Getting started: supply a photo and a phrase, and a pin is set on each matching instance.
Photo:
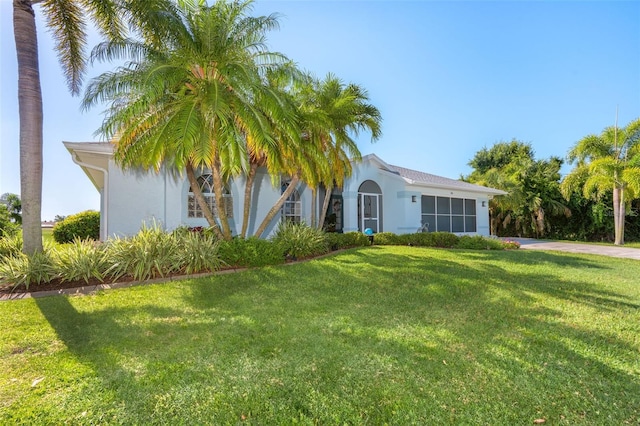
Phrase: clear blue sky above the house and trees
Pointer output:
(448, 77)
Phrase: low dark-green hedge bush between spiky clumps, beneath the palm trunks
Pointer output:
(250, 252)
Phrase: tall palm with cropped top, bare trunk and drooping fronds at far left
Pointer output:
(67, 20)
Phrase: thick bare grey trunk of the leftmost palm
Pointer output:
(30, 110)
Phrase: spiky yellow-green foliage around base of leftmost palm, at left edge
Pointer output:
(23, 270)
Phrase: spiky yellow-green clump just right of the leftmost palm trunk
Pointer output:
(81, 260)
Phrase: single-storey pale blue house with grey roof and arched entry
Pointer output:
(377, 195)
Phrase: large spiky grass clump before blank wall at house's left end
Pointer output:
(149, 254)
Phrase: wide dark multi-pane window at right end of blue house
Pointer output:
(448, 214)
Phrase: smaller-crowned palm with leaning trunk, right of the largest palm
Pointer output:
(331, 114)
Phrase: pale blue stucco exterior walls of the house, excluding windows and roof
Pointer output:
(136, 198)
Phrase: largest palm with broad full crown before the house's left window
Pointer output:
(190, 104)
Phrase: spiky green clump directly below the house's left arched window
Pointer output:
(198, 252)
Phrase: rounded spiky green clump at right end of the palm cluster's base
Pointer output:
(299, 240)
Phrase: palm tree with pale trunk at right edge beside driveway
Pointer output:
(611, 162)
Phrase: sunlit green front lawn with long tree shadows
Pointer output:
(397, 335)
